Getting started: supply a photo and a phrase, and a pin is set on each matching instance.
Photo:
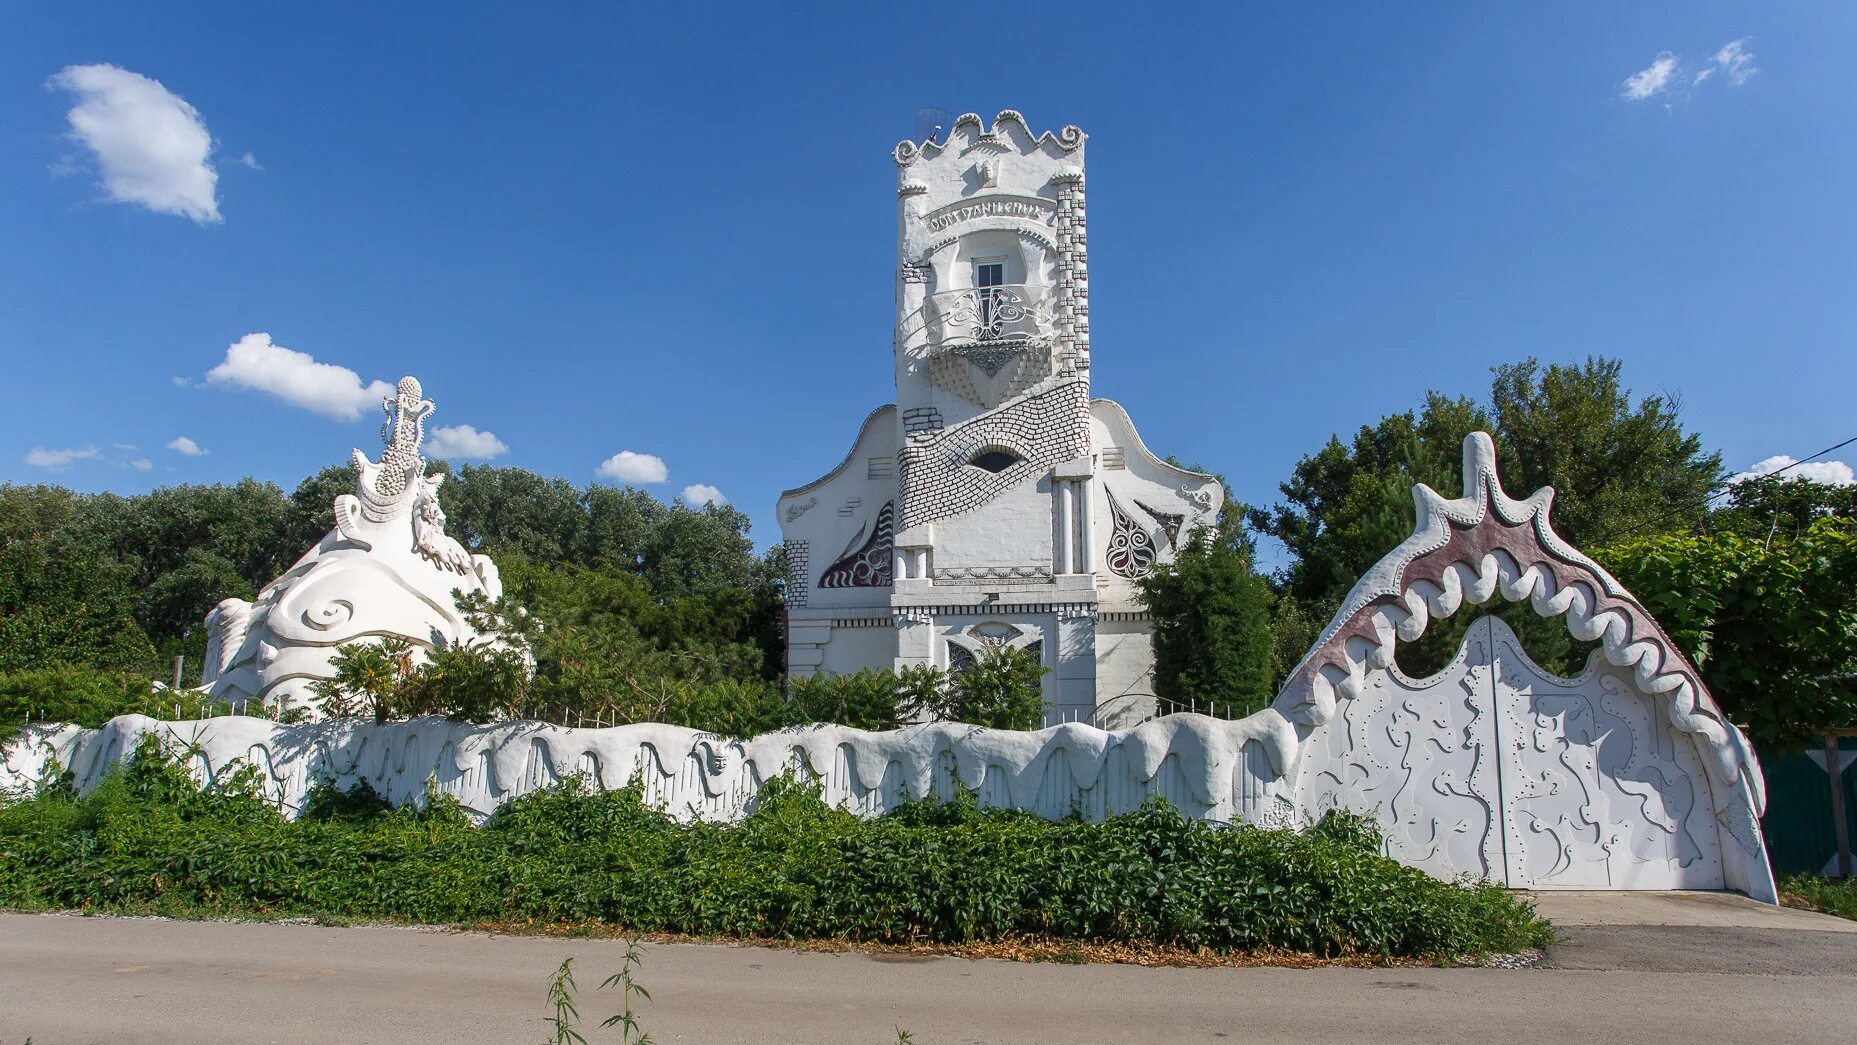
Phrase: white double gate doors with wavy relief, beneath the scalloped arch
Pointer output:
(1501, 771)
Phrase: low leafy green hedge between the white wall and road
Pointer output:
(796, 870)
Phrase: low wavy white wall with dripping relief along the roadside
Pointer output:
(1206, 768)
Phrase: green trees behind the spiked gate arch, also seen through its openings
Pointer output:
(1617, 467)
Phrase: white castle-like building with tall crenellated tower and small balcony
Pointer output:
(996, 502)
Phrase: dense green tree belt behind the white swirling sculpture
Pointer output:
(649, 591)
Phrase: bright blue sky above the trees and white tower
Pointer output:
(671, 231)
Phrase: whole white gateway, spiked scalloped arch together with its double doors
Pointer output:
(1626, 777)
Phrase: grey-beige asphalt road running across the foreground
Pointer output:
(1721, 974)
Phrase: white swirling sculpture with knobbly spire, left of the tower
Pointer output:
(385, 571)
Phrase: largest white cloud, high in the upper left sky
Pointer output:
(151, 146)
